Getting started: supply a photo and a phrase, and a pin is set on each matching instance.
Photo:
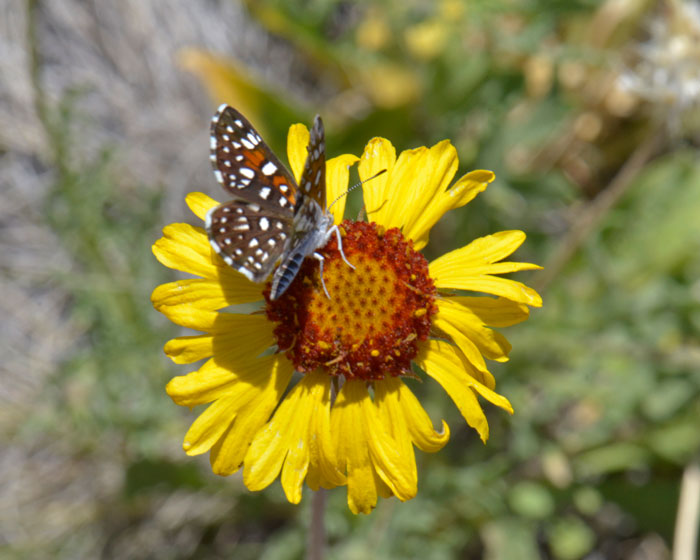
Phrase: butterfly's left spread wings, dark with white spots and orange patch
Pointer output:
(252, 231)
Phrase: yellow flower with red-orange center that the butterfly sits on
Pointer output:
(350, 417)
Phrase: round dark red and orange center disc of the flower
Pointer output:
(376, 314)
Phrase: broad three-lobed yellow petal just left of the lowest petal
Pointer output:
(297, 437)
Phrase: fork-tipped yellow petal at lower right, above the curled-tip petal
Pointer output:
(441, 361)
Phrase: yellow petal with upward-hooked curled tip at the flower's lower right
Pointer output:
(404, 409)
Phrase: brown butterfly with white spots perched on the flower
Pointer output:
(269, 218)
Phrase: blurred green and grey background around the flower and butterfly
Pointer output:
(587, 110)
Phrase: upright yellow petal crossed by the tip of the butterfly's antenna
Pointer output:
(379, 154)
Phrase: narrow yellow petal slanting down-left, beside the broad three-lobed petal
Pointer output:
(228, 453)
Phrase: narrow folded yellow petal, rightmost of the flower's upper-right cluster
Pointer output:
(461, 193)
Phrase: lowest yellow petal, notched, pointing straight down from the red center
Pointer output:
(365, 450)
